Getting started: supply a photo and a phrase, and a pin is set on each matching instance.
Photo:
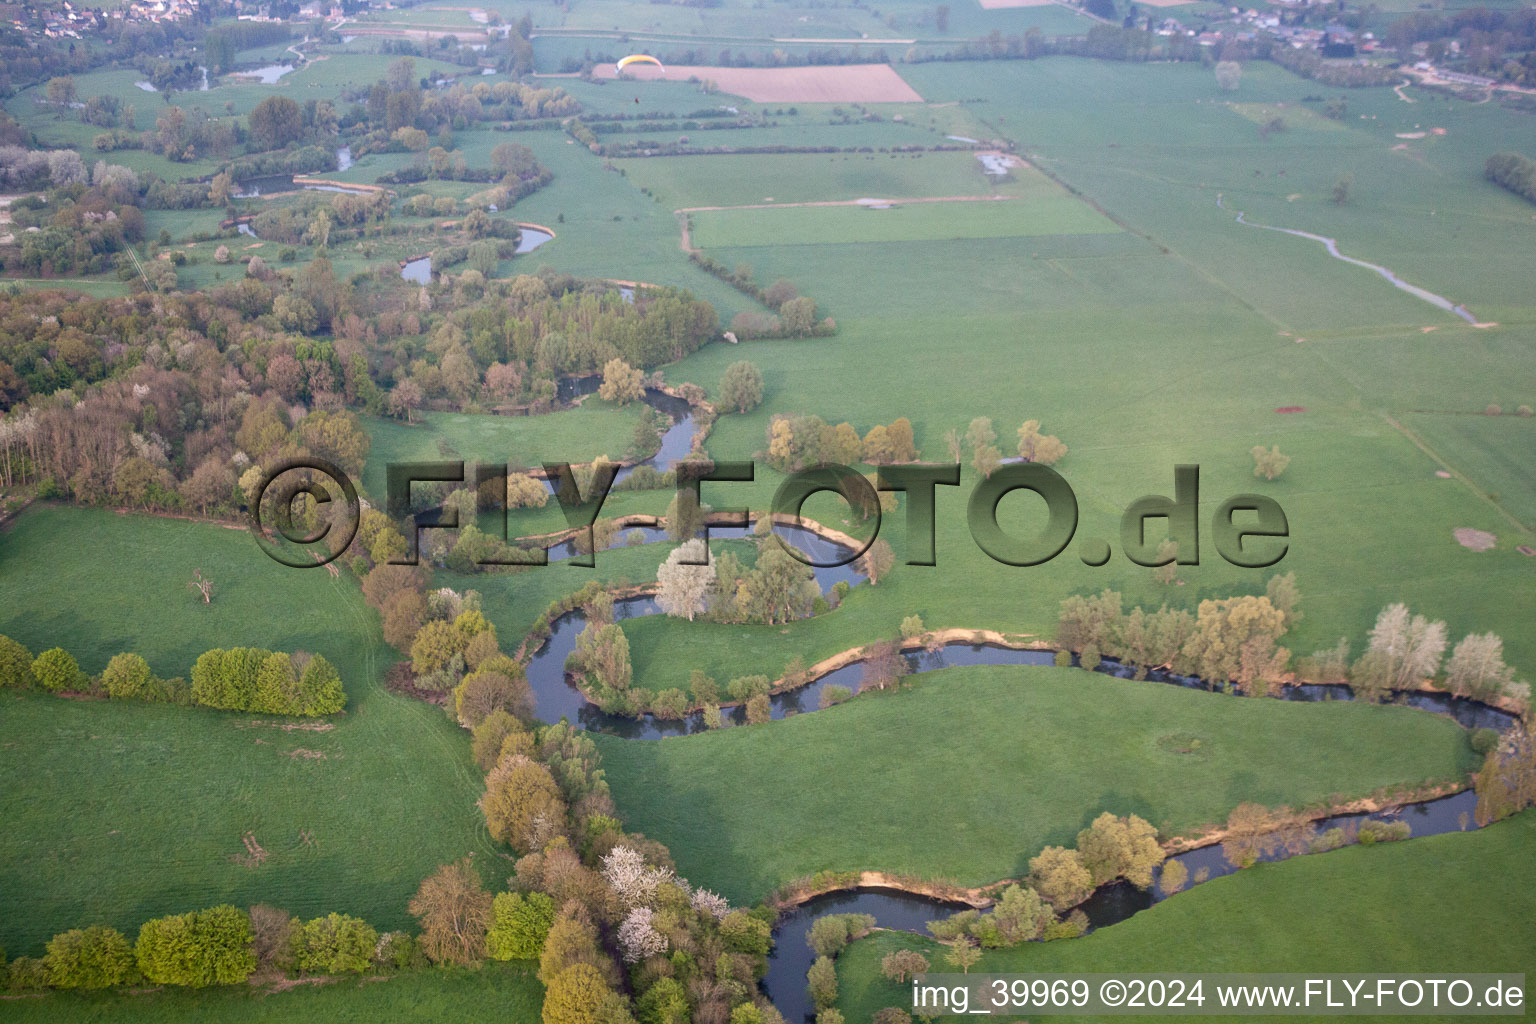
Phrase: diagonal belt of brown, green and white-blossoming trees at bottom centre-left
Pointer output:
(595, 905)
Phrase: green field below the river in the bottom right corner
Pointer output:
(1402, 908)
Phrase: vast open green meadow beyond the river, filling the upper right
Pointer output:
(1173, 343)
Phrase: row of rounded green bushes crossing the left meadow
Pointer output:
(240, 679)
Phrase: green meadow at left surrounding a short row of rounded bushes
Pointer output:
(121, 811)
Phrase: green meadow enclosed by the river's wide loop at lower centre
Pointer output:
(976, 770)
